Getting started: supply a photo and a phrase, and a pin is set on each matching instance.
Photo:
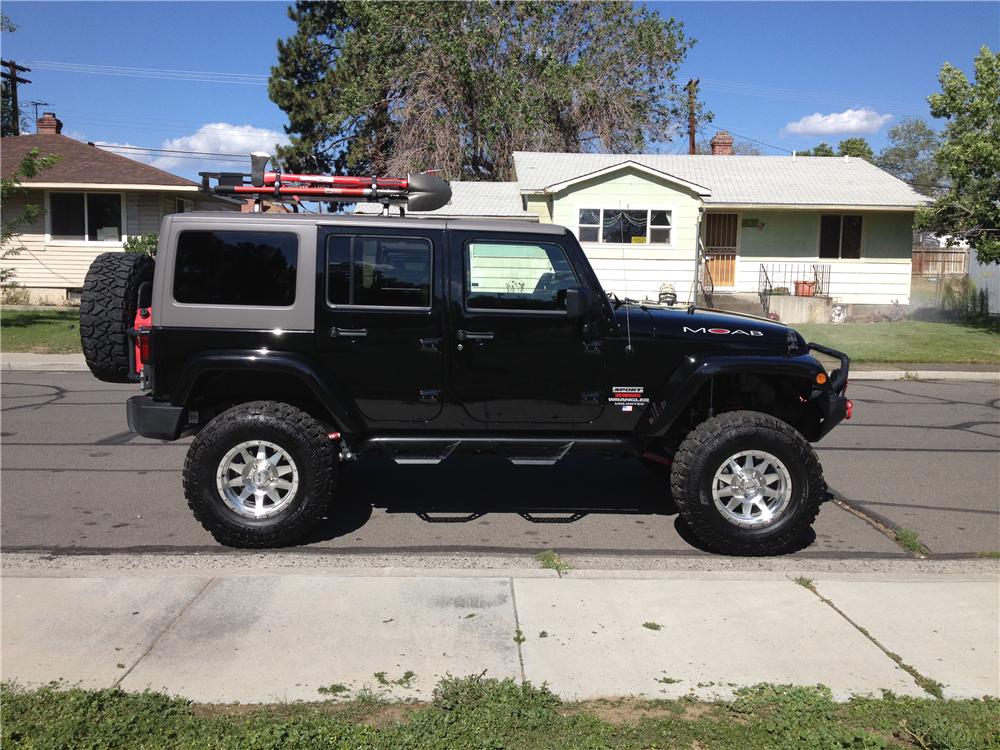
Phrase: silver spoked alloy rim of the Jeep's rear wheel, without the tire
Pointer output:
(257, 479)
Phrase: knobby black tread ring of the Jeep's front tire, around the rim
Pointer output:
(687, 471)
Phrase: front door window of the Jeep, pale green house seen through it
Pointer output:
(512, 276)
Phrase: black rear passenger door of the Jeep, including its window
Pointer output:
(380, 315)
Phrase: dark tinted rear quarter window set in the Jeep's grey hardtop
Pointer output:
(236, 268)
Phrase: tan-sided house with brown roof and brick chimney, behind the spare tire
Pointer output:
(92, 201)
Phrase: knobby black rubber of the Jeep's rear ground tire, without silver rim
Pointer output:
(309, 510)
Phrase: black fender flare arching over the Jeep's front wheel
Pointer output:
(694, 371)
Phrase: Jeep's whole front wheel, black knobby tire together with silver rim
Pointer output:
(747, 483)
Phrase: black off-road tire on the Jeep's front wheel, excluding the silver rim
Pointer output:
(703, 452)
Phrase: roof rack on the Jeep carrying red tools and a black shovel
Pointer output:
(416, 192)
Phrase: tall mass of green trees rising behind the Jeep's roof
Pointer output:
(396, 87)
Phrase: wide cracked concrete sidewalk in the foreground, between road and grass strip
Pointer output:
(225, 636)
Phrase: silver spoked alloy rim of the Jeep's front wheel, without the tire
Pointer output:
(752, 489)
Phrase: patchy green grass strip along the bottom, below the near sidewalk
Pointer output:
(483, 713)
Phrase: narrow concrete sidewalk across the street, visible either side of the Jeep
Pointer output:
(26, 362)
